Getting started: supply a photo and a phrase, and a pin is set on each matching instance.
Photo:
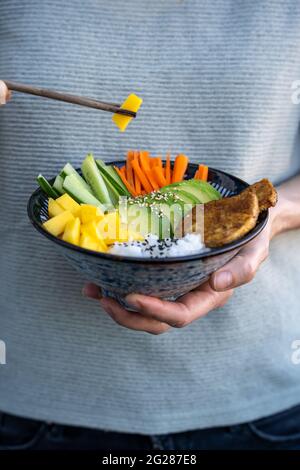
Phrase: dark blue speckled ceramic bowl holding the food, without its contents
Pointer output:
(167, 278)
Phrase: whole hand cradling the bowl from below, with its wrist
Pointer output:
(158, 316)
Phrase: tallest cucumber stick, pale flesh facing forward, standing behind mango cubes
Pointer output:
(94, 178)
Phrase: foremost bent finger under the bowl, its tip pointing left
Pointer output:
(182, 312)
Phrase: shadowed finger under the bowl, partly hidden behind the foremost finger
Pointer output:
(132, 320)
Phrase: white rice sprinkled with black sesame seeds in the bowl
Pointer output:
(152, 247)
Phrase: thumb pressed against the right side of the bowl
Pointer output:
(242, 268)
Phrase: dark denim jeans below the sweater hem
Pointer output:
(279, 431)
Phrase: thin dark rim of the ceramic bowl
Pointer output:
(264, 216)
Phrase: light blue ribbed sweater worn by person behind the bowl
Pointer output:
(216, 81)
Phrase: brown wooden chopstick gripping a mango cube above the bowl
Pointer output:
(80, 100)
